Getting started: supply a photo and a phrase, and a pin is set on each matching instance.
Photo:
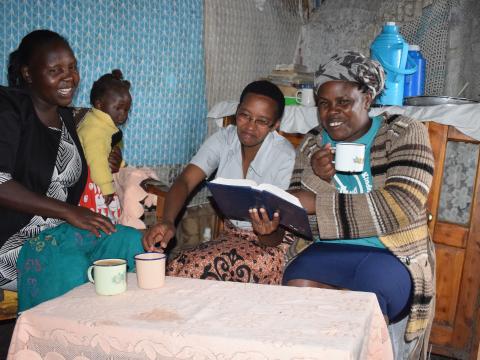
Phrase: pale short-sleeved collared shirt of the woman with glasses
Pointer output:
(273, 163)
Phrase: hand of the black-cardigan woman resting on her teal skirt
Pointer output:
(84, 218)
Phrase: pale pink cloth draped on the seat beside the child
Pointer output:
(127, 185)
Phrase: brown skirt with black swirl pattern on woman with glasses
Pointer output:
(235, 255)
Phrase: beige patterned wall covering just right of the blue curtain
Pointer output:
(244, 40)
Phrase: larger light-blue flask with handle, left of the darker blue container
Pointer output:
(391, 50)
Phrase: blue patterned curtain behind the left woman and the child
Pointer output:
(158, 45)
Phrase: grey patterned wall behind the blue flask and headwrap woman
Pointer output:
(337, 25)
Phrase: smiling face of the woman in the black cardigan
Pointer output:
(52, 75)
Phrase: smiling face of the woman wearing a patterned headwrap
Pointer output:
(343, 110)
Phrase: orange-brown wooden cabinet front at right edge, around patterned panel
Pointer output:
(456, 327)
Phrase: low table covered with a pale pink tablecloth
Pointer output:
(203, 319)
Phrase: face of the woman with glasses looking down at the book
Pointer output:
(256, 117)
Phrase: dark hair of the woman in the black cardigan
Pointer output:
(28, 48)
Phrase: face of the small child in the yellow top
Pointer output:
(116, 103)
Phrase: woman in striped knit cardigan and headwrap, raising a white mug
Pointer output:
(371, 226)
